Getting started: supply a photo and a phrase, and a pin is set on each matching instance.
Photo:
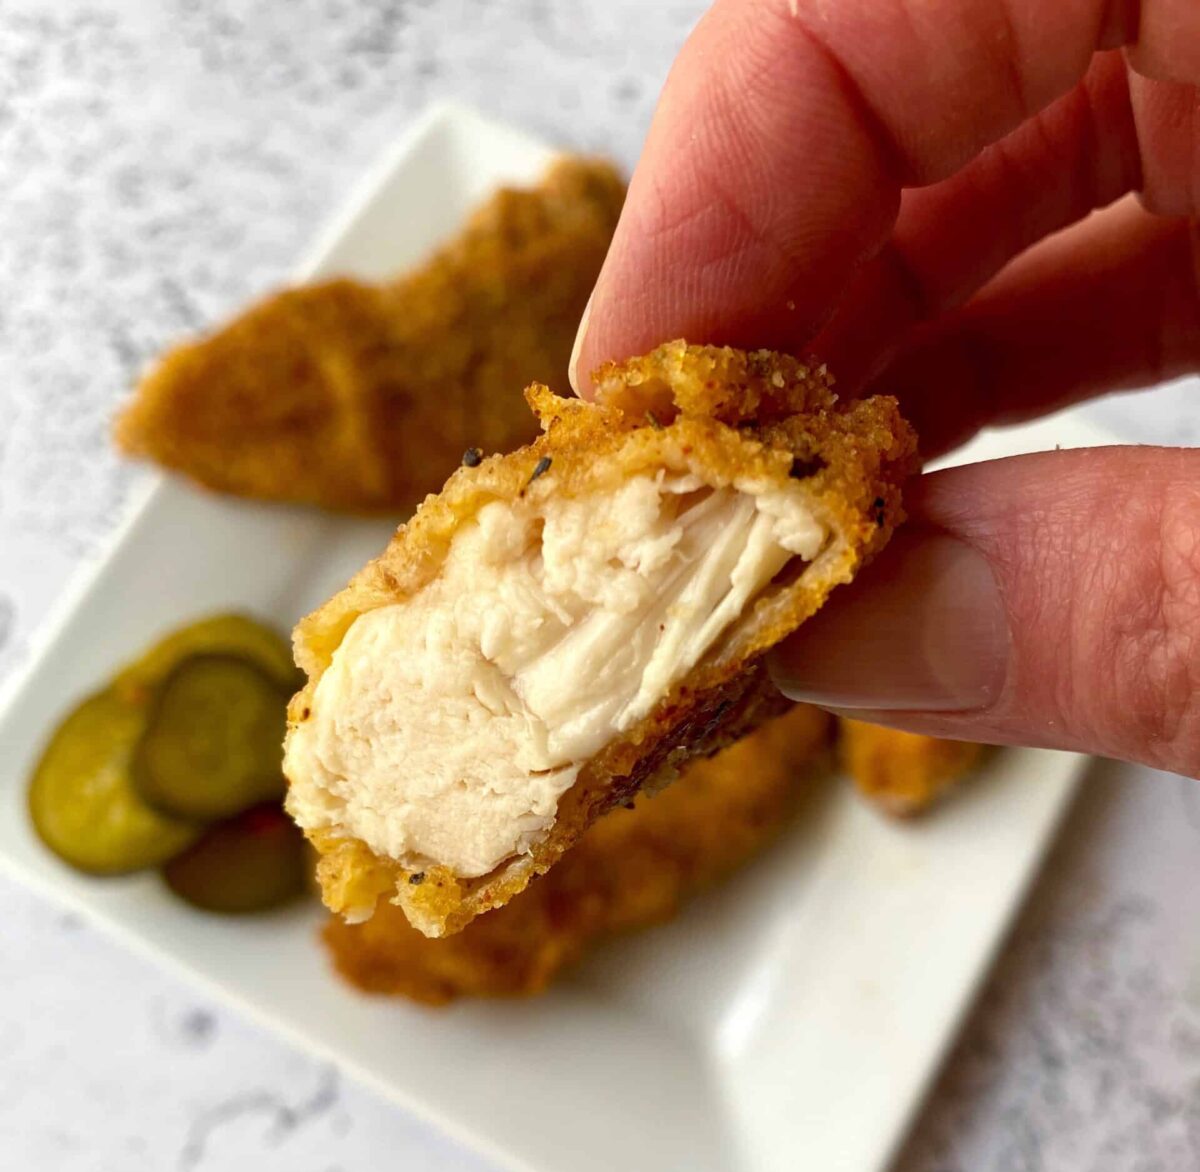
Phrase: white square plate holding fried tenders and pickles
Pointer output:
(791, 1019)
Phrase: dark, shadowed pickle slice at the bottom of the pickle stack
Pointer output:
(251, 863)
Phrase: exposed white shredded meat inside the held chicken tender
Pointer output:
(449, 725)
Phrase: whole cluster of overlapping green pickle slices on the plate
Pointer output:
(178, 765)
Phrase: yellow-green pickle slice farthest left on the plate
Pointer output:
(82, 797)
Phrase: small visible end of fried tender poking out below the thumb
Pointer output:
(903, 773)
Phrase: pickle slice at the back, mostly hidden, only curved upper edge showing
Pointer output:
(217, 635)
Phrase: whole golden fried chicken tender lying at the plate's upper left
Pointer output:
(363, 398)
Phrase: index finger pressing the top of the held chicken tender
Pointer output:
(783, 139)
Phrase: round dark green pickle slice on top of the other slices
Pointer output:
(214, 743)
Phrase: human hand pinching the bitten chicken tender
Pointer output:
(909, 191)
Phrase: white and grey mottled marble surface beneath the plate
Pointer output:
(160, 163)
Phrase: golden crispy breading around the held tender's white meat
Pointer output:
(716, 413)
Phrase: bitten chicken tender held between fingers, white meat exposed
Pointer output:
(566, 626)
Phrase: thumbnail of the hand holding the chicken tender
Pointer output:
(923, 629)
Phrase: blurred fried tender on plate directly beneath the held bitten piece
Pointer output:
(632, 869)
